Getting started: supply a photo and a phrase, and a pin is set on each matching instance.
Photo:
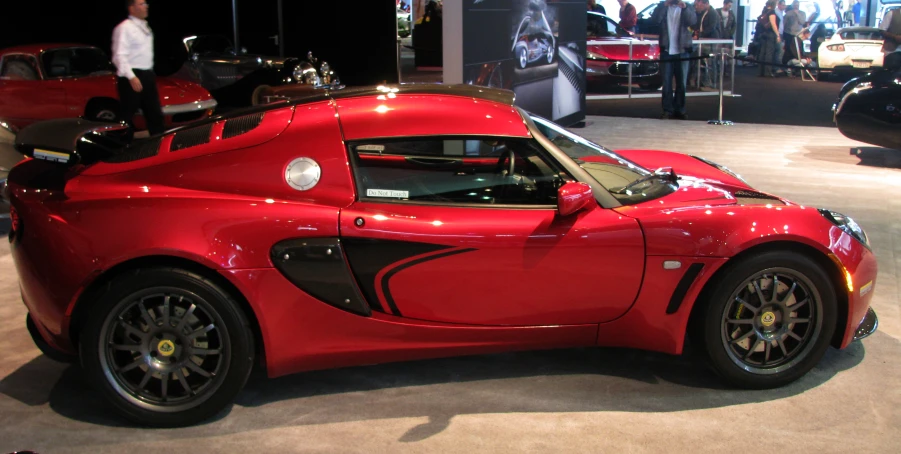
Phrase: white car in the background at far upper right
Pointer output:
(851, 48)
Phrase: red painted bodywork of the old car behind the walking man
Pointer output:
(23, 102)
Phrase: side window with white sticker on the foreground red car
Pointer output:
(485, 171)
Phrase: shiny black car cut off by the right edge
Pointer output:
(868, 108)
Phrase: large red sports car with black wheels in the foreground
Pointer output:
(396, 223)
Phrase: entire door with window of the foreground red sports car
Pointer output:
(466, 231)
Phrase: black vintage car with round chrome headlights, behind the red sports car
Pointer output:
(236, 78)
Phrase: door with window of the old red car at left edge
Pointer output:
(24, 97)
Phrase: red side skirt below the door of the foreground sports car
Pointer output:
(302, 333)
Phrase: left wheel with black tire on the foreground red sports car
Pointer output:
(144, 366)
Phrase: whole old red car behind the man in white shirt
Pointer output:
(45, 81)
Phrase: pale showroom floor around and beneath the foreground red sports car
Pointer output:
(586, 400)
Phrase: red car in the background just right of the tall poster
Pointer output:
(608, 64)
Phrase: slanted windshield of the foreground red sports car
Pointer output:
(617, 174)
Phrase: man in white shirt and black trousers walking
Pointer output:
(133, 57)
